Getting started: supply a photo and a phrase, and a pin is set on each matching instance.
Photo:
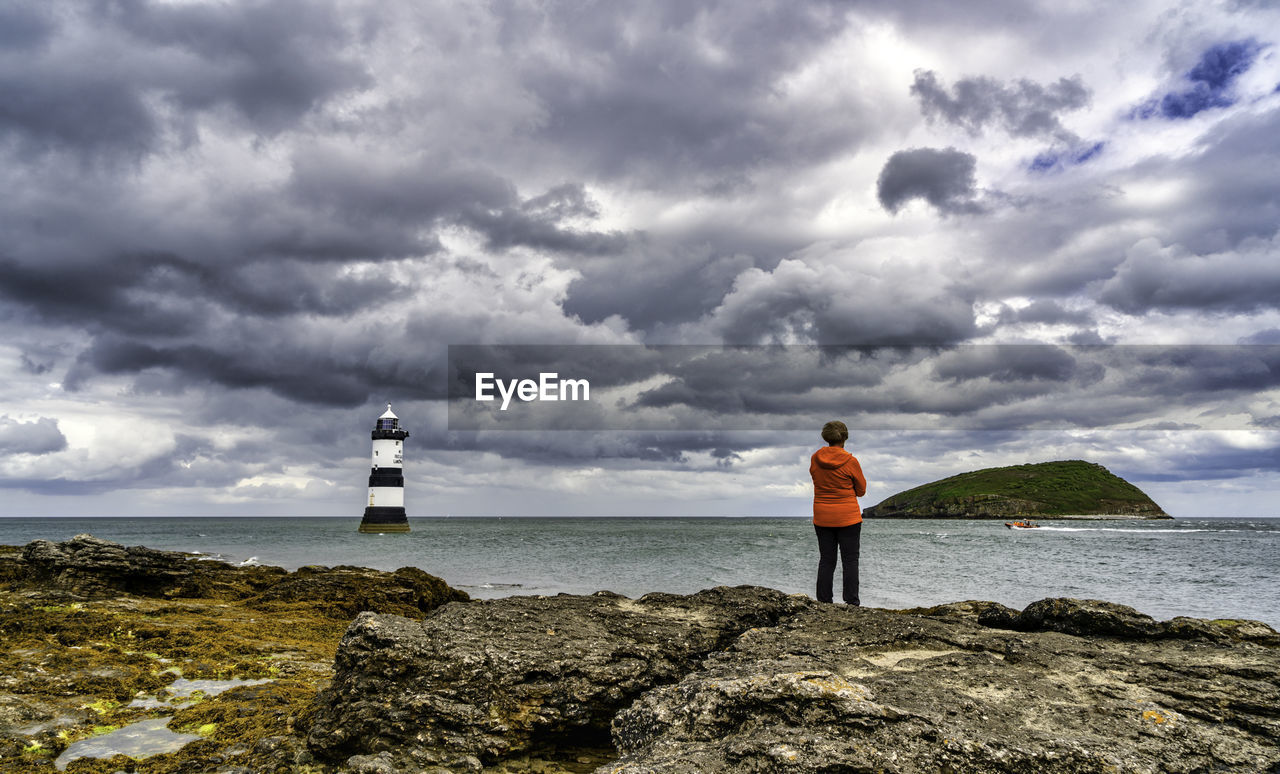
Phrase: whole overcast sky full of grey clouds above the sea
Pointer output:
(232, 231)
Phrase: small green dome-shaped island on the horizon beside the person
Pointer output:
(1046, 491)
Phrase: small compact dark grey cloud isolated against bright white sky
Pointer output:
(944, 178)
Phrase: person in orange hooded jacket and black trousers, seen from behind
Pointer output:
(838, 519)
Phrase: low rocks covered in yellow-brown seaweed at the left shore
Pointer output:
(98, 635)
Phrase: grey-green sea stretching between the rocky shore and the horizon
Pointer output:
(1199, 567)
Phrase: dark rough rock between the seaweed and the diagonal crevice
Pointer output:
(495, 679)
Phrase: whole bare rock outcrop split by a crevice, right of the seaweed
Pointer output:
(747, 680)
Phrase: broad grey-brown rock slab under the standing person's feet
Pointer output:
(861, 690)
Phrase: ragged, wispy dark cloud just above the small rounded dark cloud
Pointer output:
(1023, 109)
